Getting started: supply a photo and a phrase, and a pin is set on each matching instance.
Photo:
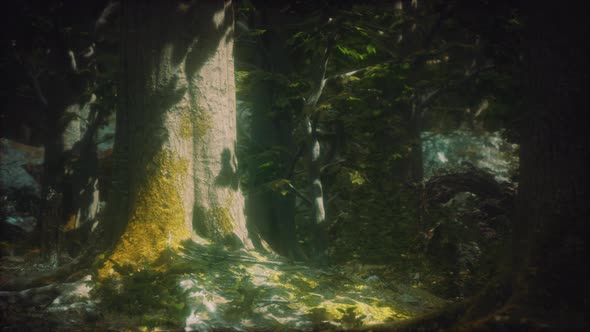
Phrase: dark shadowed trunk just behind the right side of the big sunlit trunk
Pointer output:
(270, 142)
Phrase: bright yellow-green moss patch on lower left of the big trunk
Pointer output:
(157, 218)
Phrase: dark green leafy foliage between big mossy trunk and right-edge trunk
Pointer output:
(391, 76)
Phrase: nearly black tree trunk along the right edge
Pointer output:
(548, 274)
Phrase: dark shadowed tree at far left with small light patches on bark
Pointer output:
(53, 55)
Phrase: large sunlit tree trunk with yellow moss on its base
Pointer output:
(176, 171)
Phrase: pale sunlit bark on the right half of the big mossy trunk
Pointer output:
(219, 205)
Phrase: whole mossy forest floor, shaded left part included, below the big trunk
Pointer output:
(212, 288)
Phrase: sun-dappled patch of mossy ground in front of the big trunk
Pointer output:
(220, 288)
